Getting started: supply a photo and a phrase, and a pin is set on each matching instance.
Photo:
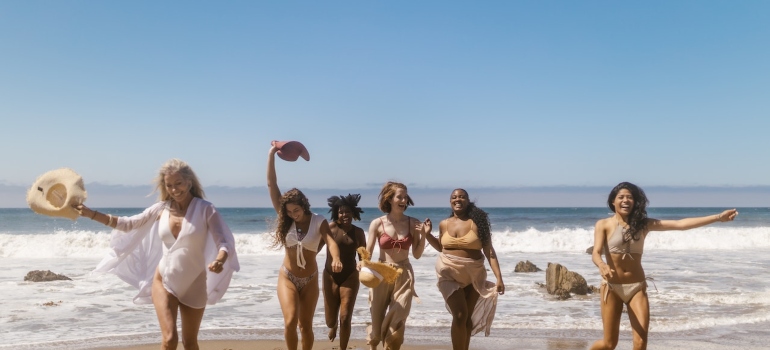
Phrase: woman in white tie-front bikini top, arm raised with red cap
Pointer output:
(300, 232)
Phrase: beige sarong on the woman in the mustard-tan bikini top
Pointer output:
(456, 272)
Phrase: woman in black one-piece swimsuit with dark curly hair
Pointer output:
(340, 288)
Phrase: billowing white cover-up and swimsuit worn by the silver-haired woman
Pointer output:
(137, 251)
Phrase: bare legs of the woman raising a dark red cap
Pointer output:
(298, 308)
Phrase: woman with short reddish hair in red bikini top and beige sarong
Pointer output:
(395, 233)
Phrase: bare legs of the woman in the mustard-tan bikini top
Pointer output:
(461, 304)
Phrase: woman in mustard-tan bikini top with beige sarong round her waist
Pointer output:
(464, 240)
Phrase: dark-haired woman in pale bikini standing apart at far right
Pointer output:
(621, 239)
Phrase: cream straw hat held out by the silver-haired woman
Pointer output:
(54, 193)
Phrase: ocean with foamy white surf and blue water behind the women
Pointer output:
(710, 284)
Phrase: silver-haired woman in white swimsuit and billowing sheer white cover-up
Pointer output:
(178, 252)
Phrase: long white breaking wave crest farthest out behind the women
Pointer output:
(93, 244)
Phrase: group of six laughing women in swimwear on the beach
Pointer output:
(181, 255)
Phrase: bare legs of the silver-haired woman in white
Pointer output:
(166, 307)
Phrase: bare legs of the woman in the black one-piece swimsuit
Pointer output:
(339, 300)
